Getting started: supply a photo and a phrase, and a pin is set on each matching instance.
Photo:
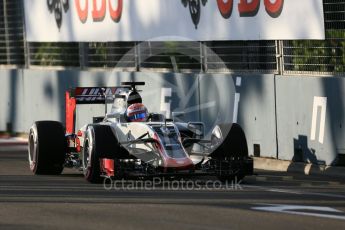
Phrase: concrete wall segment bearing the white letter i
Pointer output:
(244, 99)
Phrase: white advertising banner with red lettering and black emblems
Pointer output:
(172, 20)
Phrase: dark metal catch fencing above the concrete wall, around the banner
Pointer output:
(308, 57)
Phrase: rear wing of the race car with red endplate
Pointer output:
(85, 95)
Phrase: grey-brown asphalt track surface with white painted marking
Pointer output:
(268, 201)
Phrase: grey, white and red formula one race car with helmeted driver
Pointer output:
(130, 142)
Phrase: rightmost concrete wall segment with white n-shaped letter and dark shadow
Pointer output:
(310, 114)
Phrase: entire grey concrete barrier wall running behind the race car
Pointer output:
(276, 112)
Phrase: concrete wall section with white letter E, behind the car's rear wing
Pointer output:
(31, 95)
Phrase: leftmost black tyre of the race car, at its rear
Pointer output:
(47, 147)
